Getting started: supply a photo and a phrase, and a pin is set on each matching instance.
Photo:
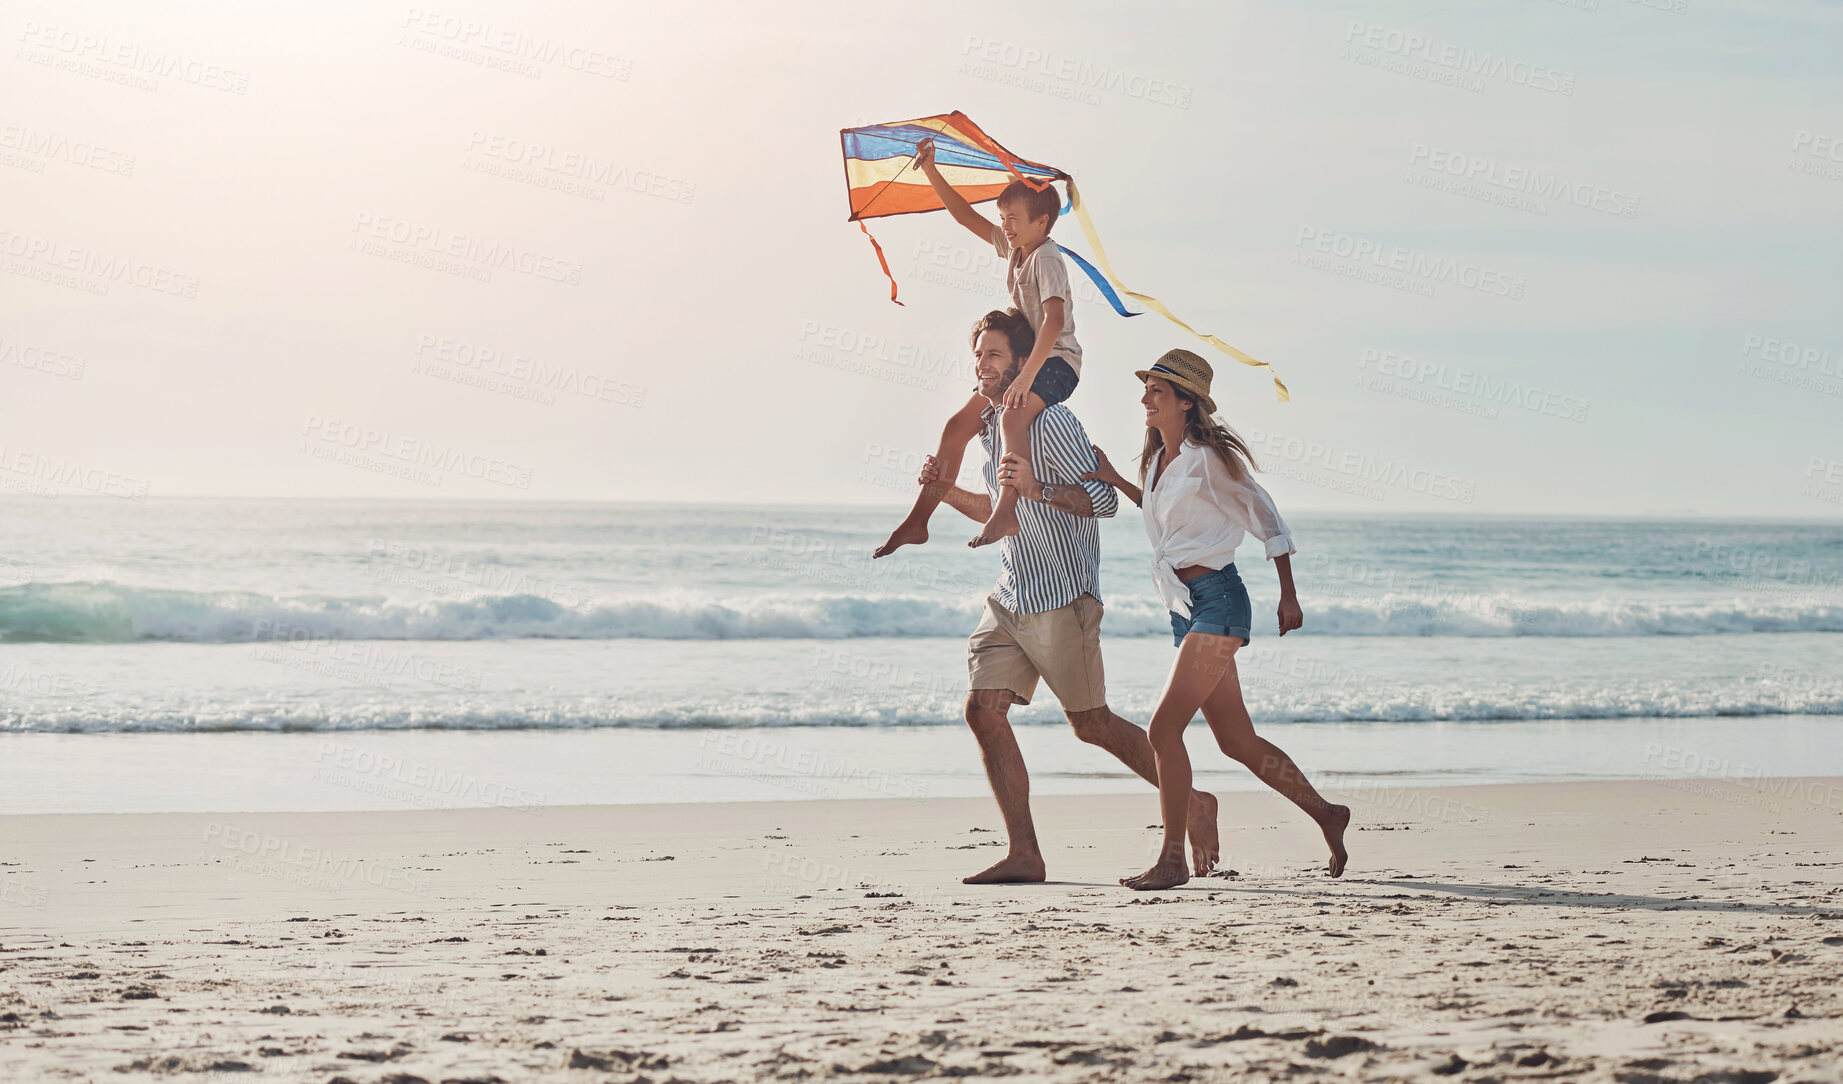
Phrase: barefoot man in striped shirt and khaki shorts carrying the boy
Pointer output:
(1044, 617)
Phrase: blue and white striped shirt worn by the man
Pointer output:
(1055, 558)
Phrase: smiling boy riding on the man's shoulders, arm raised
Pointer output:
(1039, 283)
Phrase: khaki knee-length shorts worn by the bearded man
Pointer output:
(1062, 646)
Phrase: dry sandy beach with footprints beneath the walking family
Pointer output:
(1639, 932)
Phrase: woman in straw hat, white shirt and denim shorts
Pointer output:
(1199, 504)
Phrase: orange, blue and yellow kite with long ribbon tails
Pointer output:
(880, 185)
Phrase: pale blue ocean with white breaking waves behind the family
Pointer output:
(239, 654)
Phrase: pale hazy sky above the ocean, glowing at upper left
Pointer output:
(1660, 185)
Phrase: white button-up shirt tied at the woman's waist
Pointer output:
(1199, 513)
